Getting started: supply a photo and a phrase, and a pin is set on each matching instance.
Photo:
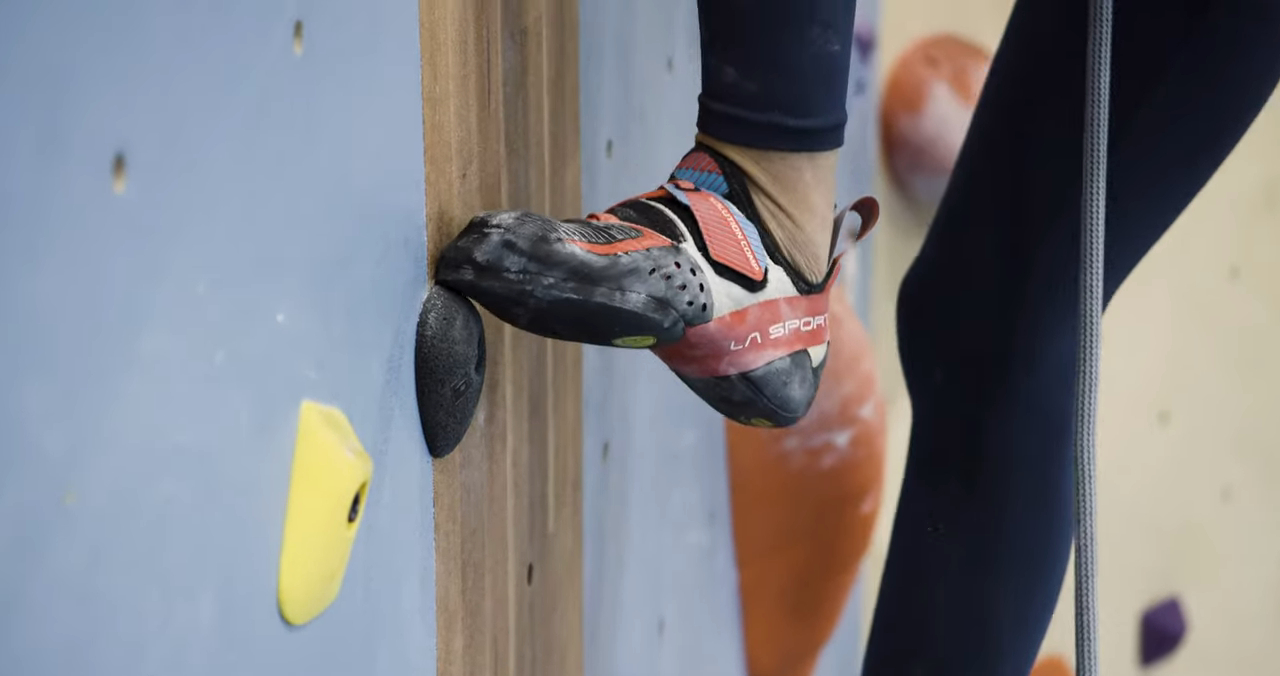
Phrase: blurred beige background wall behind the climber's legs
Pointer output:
(1188, 436)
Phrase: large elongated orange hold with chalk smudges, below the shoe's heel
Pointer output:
(804, 504)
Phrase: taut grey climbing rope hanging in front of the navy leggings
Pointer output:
(1098, 106)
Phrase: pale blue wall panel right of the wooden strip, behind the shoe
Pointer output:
(660, 579)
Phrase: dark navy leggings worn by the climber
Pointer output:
(988, 316)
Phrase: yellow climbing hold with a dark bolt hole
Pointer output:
(328, 492)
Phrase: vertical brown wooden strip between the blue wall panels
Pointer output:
(501, 122)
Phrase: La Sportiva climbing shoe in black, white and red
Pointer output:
(683, 271)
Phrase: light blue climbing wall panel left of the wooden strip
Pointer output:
(209, 212)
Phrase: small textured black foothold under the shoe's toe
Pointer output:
(449, 368)
